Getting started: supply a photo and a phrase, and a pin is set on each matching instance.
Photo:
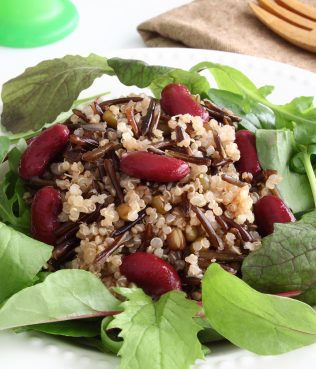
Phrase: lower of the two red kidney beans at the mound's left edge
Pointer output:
(46, 207)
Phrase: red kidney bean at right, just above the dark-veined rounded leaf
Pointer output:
(269, 210)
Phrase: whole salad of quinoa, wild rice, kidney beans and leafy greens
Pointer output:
(151, 225)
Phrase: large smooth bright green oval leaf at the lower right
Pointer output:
(264, 324)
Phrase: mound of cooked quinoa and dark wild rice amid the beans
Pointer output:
(107, 214)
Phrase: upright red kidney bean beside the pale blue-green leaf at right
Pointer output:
(248, 162)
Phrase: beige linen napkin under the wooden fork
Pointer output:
(227, 25)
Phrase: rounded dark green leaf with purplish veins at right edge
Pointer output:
(287, 258)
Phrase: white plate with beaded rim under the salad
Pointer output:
(36, 351)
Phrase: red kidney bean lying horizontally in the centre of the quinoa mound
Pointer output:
(153, 167)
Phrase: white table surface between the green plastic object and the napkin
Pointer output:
(104, 25)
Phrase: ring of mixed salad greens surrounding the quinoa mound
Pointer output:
(172, 332)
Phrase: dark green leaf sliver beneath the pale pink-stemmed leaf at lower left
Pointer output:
(68, 328)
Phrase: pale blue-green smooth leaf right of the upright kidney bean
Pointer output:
(275, 148)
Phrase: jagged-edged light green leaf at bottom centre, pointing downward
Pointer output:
(157, 335)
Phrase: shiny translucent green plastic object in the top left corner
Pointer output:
(31, 23)
